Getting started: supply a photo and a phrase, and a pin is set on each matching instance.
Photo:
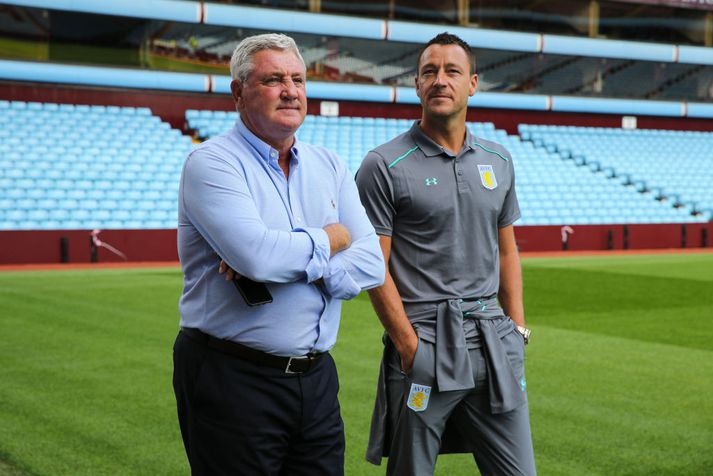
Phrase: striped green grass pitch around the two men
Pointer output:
(619, 372)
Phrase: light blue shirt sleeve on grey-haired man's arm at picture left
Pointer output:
(218, 202)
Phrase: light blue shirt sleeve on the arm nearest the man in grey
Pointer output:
(361, 266)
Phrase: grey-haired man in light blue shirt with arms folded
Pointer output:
(255, 386)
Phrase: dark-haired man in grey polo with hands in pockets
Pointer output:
(443, 202)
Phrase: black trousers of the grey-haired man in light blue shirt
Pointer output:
(239, 418)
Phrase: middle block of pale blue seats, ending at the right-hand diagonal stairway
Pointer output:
(552, 189)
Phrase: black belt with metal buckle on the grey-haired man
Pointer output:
(290, 365)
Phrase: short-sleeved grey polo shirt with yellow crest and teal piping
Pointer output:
(442, 212)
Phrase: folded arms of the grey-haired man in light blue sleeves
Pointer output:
(345, 256)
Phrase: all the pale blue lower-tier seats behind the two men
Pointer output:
(66, 166)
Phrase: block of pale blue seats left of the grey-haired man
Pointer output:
(65, 166)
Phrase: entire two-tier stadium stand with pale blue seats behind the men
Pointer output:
(65, 166)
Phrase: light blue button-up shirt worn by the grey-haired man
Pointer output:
(236, 204)
